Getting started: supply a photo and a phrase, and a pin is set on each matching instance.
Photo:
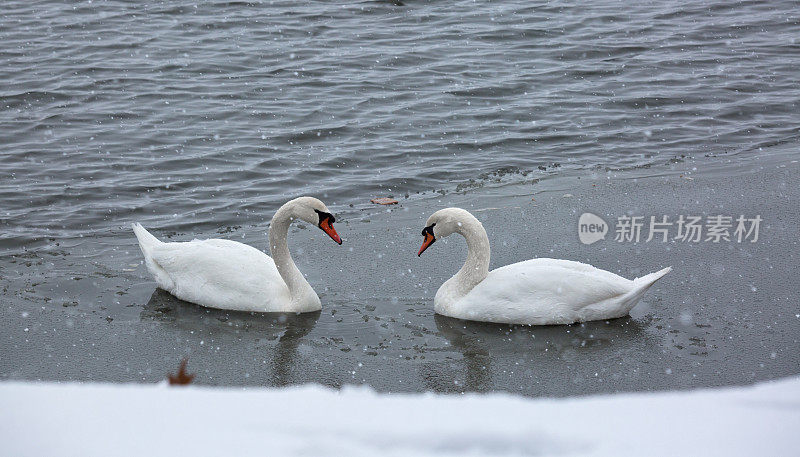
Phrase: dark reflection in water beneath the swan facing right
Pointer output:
(288, 329)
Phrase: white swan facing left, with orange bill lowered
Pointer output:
(533, 292)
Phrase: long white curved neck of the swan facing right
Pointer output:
(299, 288)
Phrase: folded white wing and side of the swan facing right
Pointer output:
(222, 274)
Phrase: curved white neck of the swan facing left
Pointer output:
(476, 267)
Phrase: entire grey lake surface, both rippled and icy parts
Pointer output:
(201, 118)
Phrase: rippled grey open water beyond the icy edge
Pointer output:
(190, 115)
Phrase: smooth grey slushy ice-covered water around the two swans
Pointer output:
(88, 309)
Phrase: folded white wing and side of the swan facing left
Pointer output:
(542, 291)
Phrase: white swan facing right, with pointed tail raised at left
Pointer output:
(229, 275)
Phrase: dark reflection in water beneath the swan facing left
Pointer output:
(489, 349)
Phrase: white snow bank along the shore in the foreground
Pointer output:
(40, 419)
